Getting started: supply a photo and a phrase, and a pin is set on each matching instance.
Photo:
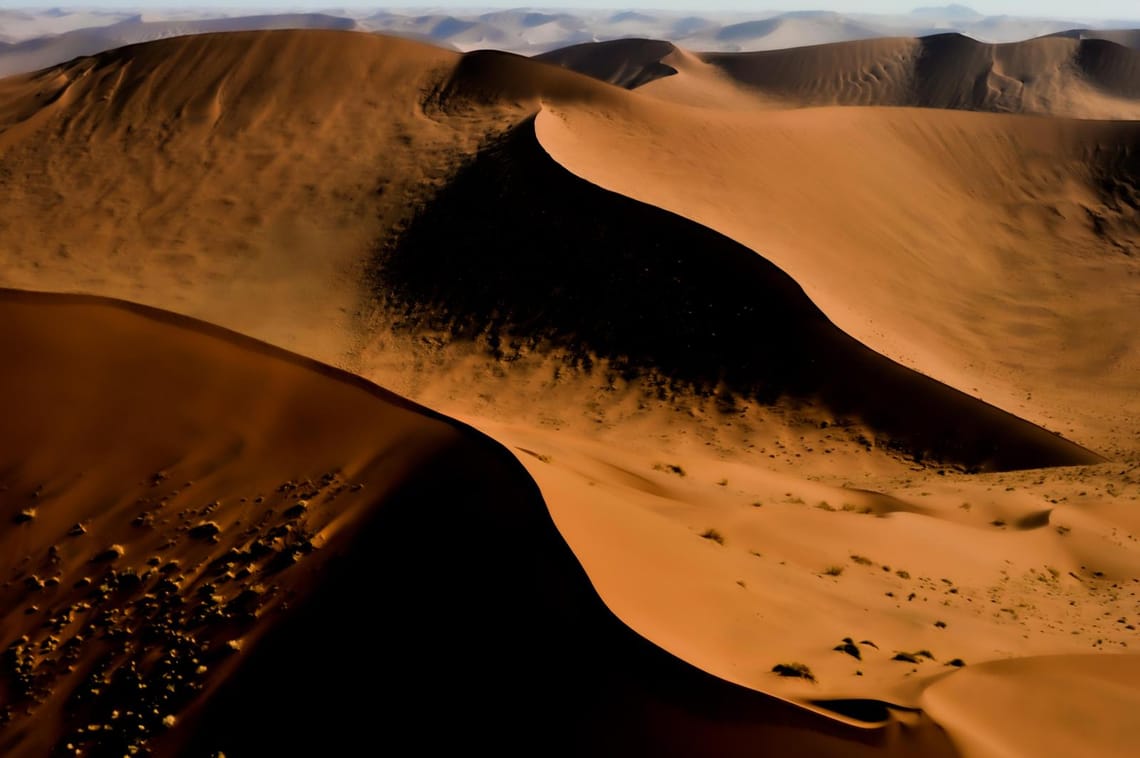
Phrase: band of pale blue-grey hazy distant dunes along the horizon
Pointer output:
(31, 39)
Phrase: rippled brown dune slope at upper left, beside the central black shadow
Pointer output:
(240, 178)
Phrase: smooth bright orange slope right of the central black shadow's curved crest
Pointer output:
(992, 252)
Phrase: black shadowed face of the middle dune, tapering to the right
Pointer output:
(661, 296)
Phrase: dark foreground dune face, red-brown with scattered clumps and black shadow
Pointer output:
(418, 523)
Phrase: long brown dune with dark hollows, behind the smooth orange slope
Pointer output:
(1063, 77)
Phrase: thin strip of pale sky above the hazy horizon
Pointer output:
(1119, 10)
